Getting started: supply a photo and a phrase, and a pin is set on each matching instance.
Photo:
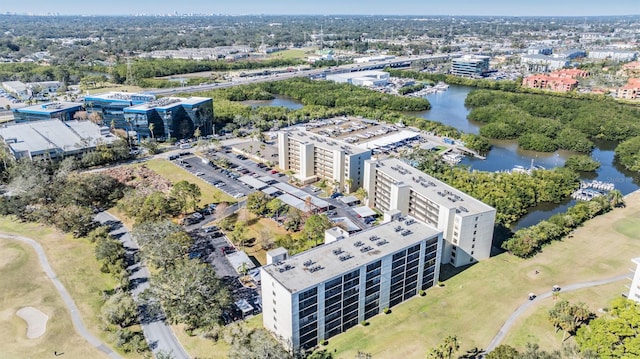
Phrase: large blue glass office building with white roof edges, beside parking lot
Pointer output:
(171, 117)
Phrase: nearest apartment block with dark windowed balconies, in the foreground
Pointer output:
(326, 290)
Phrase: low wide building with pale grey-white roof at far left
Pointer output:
(54, 138)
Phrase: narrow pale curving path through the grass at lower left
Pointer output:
(68, 301)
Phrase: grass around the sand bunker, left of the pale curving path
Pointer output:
(24, 284)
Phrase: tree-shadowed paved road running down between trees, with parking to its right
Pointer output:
(158, 333)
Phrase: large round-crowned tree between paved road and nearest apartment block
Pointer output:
(190, 293)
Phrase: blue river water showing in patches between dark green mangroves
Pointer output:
(448, 107)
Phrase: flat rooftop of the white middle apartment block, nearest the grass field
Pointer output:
(431, 188)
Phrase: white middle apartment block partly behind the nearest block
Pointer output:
(467, 223)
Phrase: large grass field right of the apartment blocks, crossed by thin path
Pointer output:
(475, 303)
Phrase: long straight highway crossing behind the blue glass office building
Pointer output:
(396, 62)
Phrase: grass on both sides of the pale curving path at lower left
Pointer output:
(74, 262)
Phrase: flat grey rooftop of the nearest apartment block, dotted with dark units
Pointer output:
(331, 260)
